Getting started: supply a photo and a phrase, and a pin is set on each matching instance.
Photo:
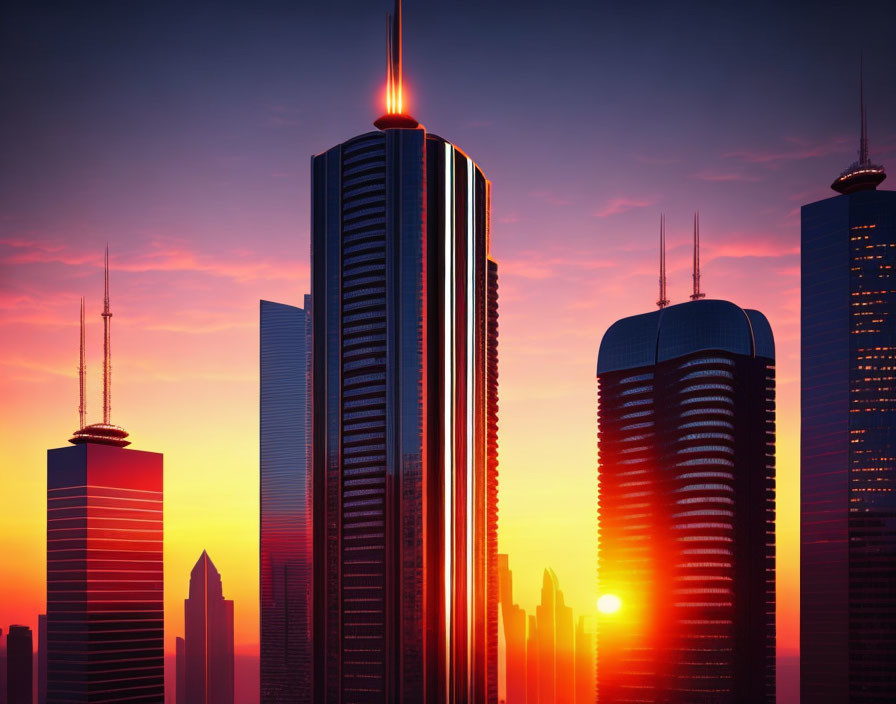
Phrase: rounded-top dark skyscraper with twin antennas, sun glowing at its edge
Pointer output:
(687, 505)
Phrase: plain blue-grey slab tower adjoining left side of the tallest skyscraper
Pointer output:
(285, 550)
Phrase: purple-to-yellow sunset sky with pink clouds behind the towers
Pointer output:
(181, 134)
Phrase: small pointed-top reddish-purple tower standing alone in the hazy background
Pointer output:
(208, 639)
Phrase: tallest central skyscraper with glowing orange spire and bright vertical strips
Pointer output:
(404, 464)
